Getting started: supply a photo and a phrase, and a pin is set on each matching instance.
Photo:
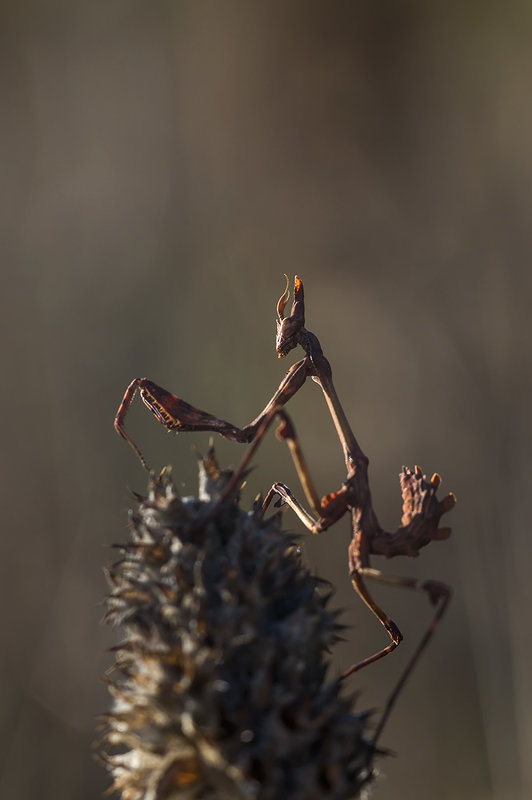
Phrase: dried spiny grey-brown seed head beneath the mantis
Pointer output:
(219, 686)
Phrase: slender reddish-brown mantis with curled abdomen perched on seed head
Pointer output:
(421, 508)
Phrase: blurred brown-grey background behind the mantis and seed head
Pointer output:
(163, 165)
